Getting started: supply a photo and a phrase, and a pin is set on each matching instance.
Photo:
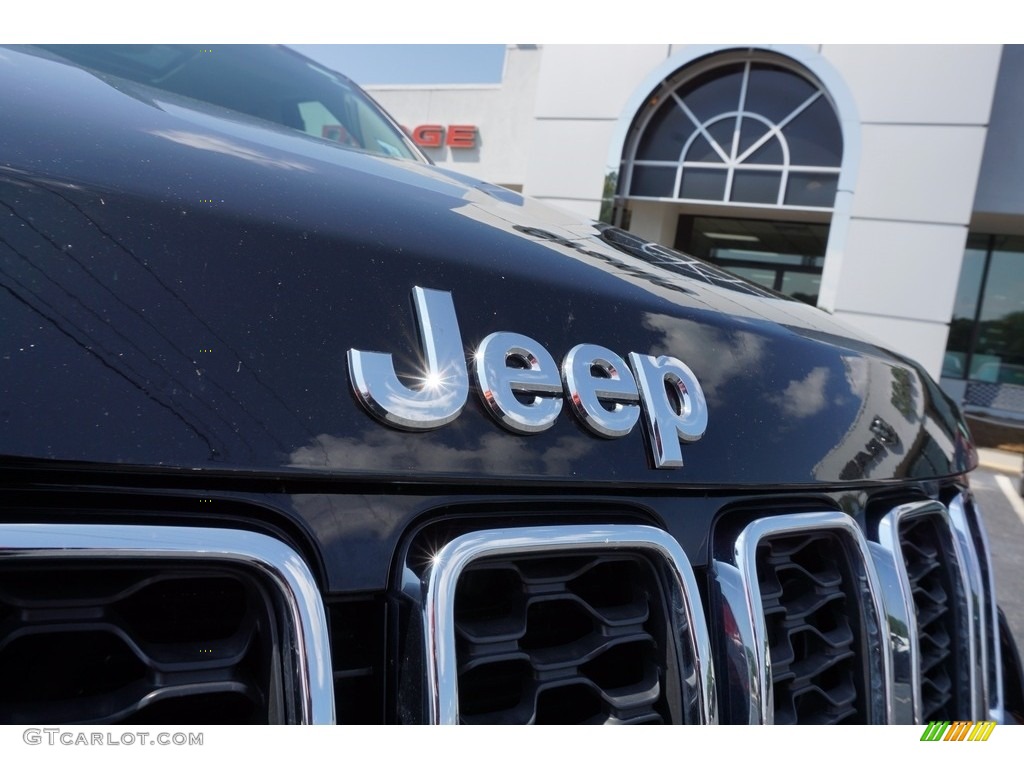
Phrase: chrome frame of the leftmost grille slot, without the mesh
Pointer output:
(278, 564)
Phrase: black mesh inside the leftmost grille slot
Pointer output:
(136, 645)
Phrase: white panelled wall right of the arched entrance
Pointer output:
(924, 113)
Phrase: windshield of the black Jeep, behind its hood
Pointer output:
(270, 82)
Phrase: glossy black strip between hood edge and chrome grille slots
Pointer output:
(354, 539)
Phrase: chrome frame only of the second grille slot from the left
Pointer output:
(438, 591)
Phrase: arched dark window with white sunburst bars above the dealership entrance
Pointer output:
(749, 131)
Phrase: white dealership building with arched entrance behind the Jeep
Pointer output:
(882, 184)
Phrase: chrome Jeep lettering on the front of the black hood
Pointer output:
(524, 389)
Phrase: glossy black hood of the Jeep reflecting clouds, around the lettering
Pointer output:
(180, 288)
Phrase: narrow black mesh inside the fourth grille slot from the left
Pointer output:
(934, 601)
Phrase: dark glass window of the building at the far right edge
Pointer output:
(987, 334)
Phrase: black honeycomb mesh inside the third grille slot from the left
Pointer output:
(813, 623)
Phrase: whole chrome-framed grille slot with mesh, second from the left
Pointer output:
(563, 624)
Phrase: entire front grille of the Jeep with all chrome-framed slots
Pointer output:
(800, 617)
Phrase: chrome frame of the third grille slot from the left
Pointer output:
(744, 600)
